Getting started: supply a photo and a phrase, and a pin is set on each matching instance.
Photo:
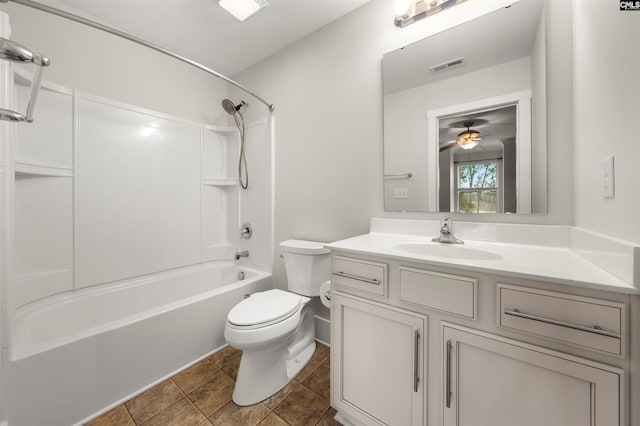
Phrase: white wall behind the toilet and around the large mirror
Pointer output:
(327, 90)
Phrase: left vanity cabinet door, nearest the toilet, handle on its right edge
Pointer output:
(377, 362)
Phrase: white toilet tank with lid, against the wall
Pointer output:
(307, 264)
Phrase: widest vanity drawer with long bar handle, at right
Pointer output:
(580, 321)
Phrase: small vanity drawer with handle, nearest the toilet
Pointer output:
(362, 275)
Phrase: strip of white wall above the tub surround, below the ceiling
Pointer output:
(106, 65)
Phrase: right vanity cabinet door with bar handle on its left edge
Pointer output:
(493, 381)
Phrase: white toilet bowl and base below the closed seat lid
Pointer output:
(265, 371)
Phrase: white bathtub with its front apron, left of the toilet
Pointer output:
(77, 355)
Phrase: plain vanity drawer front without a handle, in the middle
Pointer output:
(445, 292)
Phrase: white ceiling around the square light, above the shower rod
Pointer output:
(201, 30)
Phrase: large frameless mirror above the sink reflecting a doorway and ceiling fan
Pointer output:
(465, 117)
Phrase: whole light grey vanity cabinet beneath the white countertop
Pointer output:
(421, 344)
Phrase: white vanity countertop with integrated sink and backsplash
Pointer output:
(558, 254)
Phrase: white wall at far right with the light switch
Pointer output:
(607, 112)
